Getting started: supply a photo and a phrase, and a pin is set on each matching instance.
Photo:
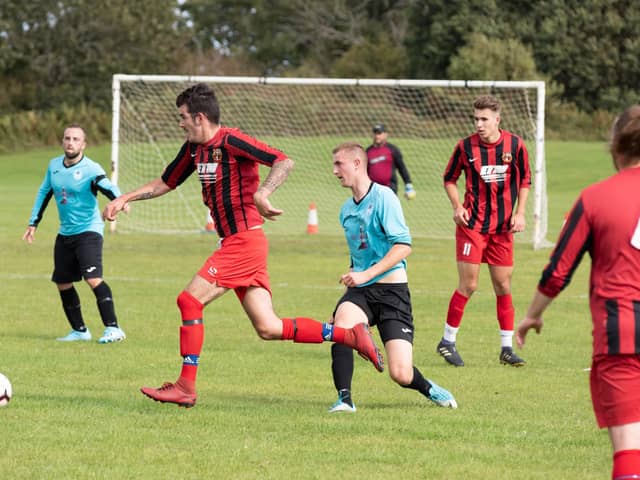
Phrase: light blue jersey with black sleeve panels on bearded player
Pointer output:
(75, 189)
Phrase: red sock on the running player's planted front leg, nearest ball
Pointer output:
(191, 334)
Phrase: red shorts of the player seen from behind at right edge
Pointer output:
(615, 389)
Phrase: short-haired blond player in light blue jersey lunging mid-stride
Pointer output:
(377, 290)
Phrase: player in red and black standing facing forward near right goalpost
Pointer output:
(496, 166)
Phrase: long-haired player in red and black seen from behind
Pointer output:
(605, 222)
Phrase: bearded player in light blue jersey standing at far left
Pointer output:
(74, 180)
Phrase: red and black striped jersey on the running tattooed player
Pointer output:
(228, 168)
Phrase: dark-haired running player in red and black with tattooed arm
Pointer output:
(227, 163)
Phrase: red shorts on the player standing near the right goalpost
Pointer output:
(492, 248)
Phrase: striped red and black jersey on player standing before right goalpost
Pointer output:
(495, 173)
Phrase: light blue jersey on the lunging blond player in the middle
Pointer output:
(372, 226)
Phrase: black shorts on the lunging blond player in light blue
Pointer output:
(387, 306)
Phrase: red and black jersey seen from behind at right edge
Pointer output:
(605, 221)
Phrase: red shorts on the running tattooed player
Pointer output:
(239, 263)
